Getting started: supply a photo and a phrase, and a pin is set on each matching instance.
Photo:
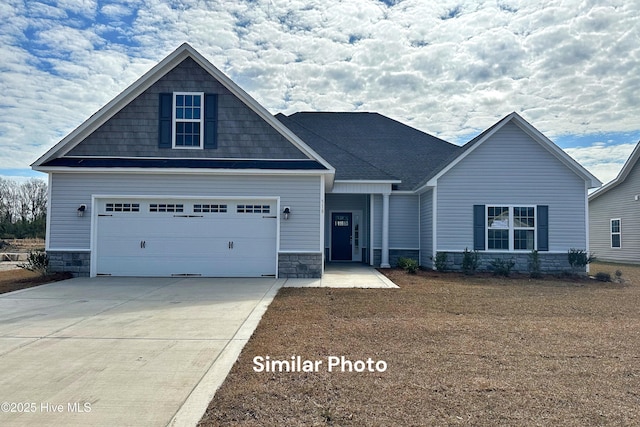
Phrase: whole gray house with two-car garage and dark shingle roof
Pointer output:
(184, 174)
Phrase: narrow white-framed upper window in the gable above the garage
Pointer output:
(188, 120)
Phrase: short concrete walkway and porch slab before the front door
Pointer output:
(345, 275)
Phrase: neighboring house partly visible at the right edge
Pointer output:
(614, 215)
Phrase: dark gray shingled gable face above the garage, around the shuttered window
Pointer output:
(133, 131)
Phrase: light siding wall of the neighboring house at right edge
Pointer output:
(619, 202)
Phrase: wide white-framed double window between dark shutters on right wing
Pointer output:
(511, 228)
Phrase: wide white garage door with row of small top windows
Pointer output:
(173, 237)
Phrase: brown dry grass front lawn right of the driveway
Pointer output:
(478, 351)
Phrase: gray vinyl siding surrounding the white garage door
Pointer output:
(301, 232)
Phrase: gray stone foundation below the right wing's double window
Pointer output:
(549, 263)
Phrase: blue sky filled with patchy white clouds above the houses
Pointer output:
(449, 68)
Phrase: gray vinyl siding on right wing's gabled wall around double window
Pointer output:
(511, 169)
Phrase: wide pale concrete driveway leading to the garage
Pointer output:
(123, 351)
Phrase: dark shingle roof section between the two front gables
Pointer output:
(370, 146)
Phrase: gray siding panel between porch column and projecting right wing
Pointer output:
(404, 221)
